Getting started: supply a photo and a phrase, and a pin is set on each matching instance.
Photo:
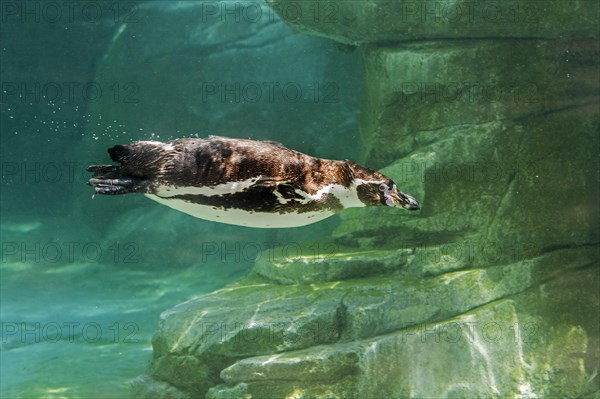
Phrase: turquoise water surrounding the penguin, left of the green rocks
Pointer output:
(84, 280)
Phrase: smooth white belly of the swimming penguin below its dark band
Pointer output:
(241, 217)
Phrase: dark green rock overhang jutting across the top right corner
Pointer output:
(385, 22)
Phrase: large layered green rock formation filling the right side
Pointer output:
(491, 291)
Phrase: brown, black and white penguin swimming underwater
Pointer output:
(244, 182)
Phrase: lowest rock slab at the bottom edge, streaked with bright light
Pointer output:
(411, 363)
